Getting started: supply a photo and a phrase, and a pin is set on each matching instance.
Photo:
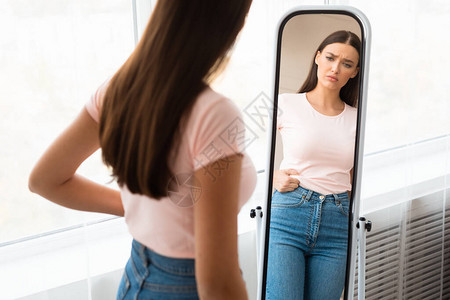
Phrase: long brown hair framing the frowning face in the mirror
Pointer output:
(349, 92)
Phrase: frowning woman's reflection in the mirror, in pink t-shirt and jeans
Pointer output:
(309, 211)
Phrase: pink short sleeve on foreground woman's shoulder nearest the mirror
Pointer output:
(218, 132)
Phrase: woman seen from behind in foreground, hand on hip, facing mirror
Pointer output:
(159, 124)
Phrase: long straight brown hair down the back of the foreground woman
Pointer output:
(184, 45)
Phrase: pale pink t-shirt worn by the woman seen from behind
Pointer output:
(214, 130)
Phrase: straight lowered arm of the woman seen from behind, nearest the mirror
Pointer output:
(216, 250)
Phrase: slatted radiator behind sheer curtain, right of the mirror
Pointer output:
(408, 251)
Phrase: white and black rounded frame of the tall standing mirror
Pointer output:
(364, 24)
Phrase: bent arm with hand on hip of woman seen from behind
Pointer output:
(54, 175)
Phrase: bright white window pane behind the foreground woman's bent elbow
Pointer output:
(53, 55)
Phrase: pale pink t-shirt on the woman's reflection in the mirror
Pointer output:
(319, 147)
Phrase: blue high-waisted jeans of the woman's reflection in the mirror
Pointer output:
(307, 245)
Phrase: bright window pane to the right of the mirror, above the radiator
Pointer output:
(408, 88)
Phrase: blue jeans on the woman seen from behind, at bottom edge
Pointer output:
(149, 275)
